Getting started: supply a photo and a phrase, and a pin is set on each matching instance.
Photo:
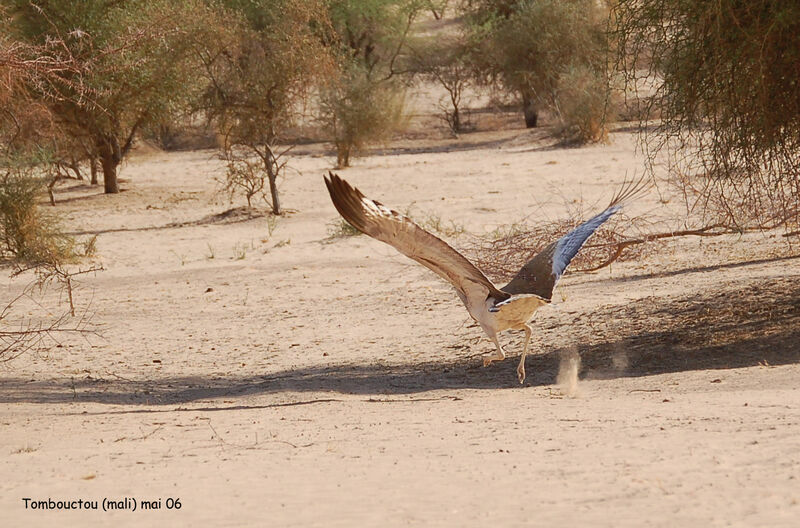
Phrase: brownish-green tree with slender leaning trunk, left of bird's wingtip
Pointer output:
(261, 65)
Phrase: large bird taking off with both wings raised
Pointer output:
(494, 309)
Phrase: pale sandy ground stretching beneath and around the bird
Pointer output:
(287, 379)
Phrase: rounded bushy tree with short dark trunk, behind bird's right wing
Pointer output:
(526, 46)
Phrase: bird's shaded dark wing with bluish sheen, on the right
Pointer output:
(540, 275)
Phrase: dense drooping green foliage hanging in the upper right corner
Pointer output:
(724, 78)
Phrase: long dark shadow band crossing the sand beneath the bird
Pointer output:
(755, 324)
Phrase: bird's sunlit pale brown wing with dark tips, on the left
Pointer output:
(380, 222)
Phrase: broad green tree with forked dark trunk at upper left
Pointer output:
(134, 69)
